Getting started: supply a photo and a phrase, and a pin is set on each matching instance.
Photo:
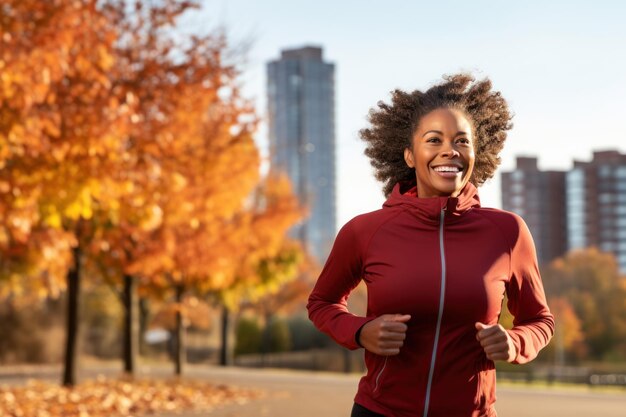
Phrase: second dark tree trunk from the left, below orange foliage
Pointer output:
(131, 324)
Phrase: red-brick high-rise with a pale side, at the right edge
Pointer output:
(596, 203)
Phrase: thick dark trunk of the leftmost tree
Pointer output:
(73, 291)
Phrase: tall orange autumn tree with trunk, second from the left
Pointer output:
(189, 159)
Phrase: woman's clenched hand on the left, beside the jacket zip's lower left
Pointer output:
(385, 334)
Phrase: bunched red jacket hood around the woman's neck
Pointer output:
(406, 194)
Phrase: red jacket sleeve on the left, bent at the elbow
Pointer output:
(327, 305)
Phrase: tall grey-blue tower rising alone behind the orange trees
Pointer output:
(301, 104)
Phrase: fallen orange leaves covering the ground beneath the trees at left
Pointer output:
(118, 397)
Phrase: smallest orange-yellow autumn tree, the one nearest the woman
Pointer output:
(268, 262)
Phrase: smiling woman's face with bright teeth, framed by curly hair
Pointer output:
(442, 154)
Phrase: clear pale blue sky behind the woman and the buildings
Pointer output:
(561, 65)
